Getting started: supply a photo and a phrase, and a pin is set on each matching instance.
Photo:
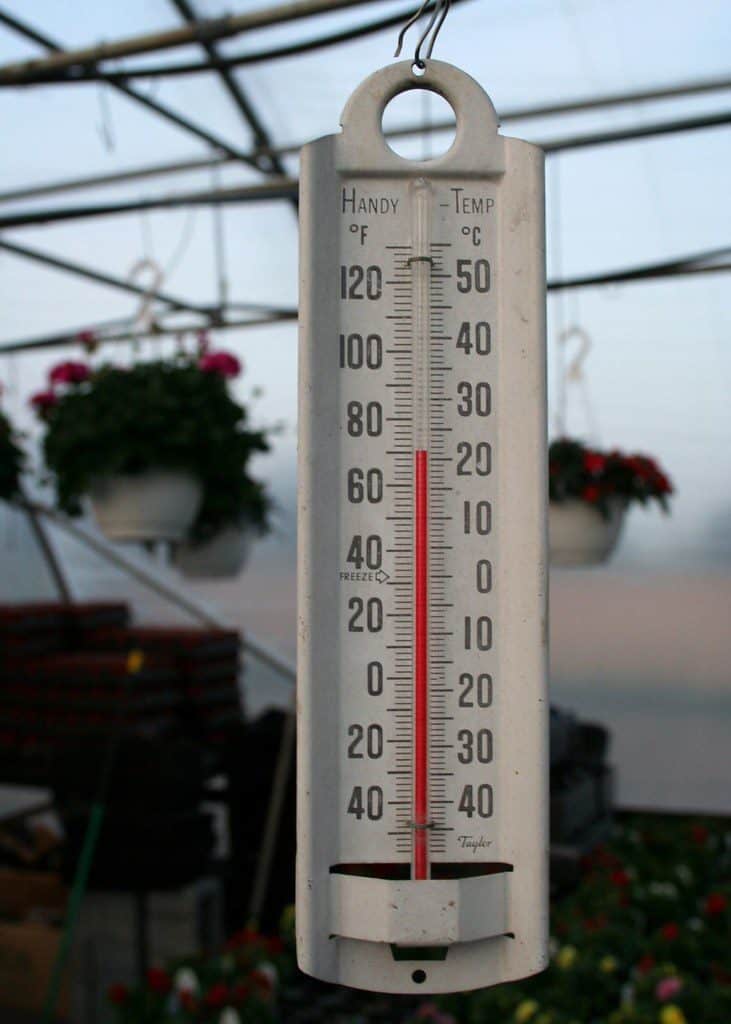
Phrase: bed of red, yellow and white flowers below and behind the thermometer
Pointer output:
(643, 940)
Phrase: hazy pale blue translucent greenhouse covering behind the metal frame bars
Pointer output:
(643, 646)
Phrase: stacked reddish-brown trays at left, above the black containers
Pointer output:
(65, 678)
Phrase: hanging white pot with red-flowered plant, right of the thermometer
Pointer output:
(590, 492)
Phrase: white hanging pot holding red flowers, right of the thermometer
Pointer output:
(579, 535)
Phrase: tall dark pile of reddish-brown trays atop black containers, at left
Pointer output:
(85, 696)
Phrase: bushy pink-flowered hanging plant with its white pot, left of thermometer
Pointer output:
(154, 447)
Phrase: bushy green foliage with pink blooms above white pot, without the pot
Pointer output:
(168, 414)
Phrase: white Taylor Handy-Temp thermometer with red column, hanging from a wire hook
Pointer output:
(423, 716)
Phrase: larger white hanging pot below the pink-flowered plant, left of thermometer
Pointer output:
(157, 505)
